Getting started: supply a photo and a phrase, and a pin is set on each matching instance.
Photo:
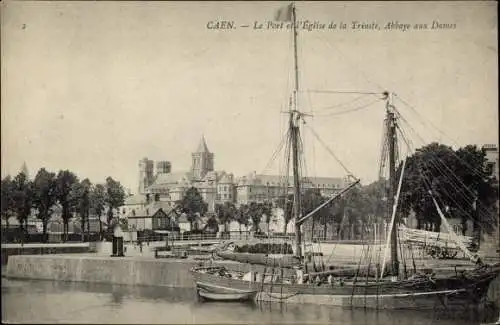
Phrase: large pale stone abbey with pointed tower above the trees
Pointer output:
(218, 186)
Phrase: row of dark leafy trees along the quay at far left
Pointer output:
(20, 197)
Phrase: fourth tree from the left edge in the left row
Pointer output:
(65, 183)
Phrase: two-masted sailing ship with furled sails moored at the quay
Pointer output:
(341, 286)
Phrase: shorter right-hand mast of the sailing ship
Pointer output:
(391, 137)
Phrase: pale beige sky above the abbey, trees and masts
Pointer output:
(93, 87)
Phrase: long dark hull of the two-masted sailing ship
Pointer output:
(450, 293)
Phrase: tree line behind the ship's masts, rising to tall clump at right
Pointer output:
(461, 180)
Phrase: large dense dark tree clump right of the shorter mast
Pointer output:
(458, 182)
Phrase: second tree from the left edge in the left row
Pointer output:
(22, 193)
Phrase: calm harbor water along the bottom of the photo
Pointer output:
(35, 301)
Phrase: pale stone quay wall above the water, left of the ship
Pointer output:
(117, 270)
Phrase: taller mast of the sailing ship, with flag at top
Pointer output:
(294, 128)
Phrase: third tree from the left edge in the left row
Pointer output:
(44, 196)
